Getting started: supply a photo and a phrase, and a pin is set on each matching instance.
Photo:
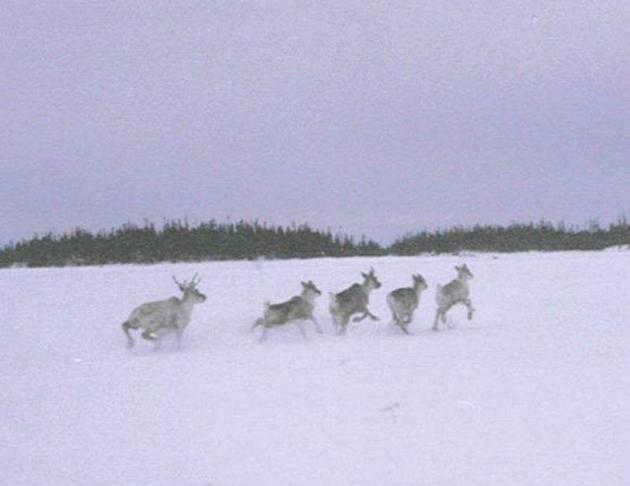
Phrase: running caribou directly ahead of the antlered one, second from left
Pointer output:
(297, 308)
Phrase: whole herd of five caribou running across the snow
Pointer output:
(171, 316)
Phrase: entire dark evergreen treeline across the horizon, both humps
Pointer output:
(180, 241)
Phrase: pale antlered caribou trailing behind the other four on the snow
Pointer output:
(162, 317)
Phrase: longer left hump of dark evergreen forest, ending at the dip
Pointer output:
(180, 241)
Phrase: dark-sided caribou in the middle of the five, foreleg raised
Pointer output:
(353, 300)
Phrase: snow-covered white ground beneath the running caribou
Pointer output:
(534, 391)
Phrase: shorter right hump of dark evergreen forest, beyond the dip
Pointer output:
(542, 236)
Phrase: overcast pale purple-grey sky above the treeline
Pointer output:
(370, 117)
